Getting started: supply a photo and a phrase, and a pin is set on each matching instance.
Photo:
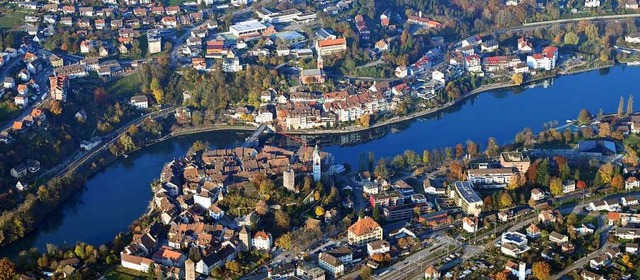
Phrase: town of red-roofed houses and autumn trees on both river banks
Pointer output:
(86, 83)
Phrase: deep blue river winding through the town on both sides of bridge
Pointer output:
(120, 193)
